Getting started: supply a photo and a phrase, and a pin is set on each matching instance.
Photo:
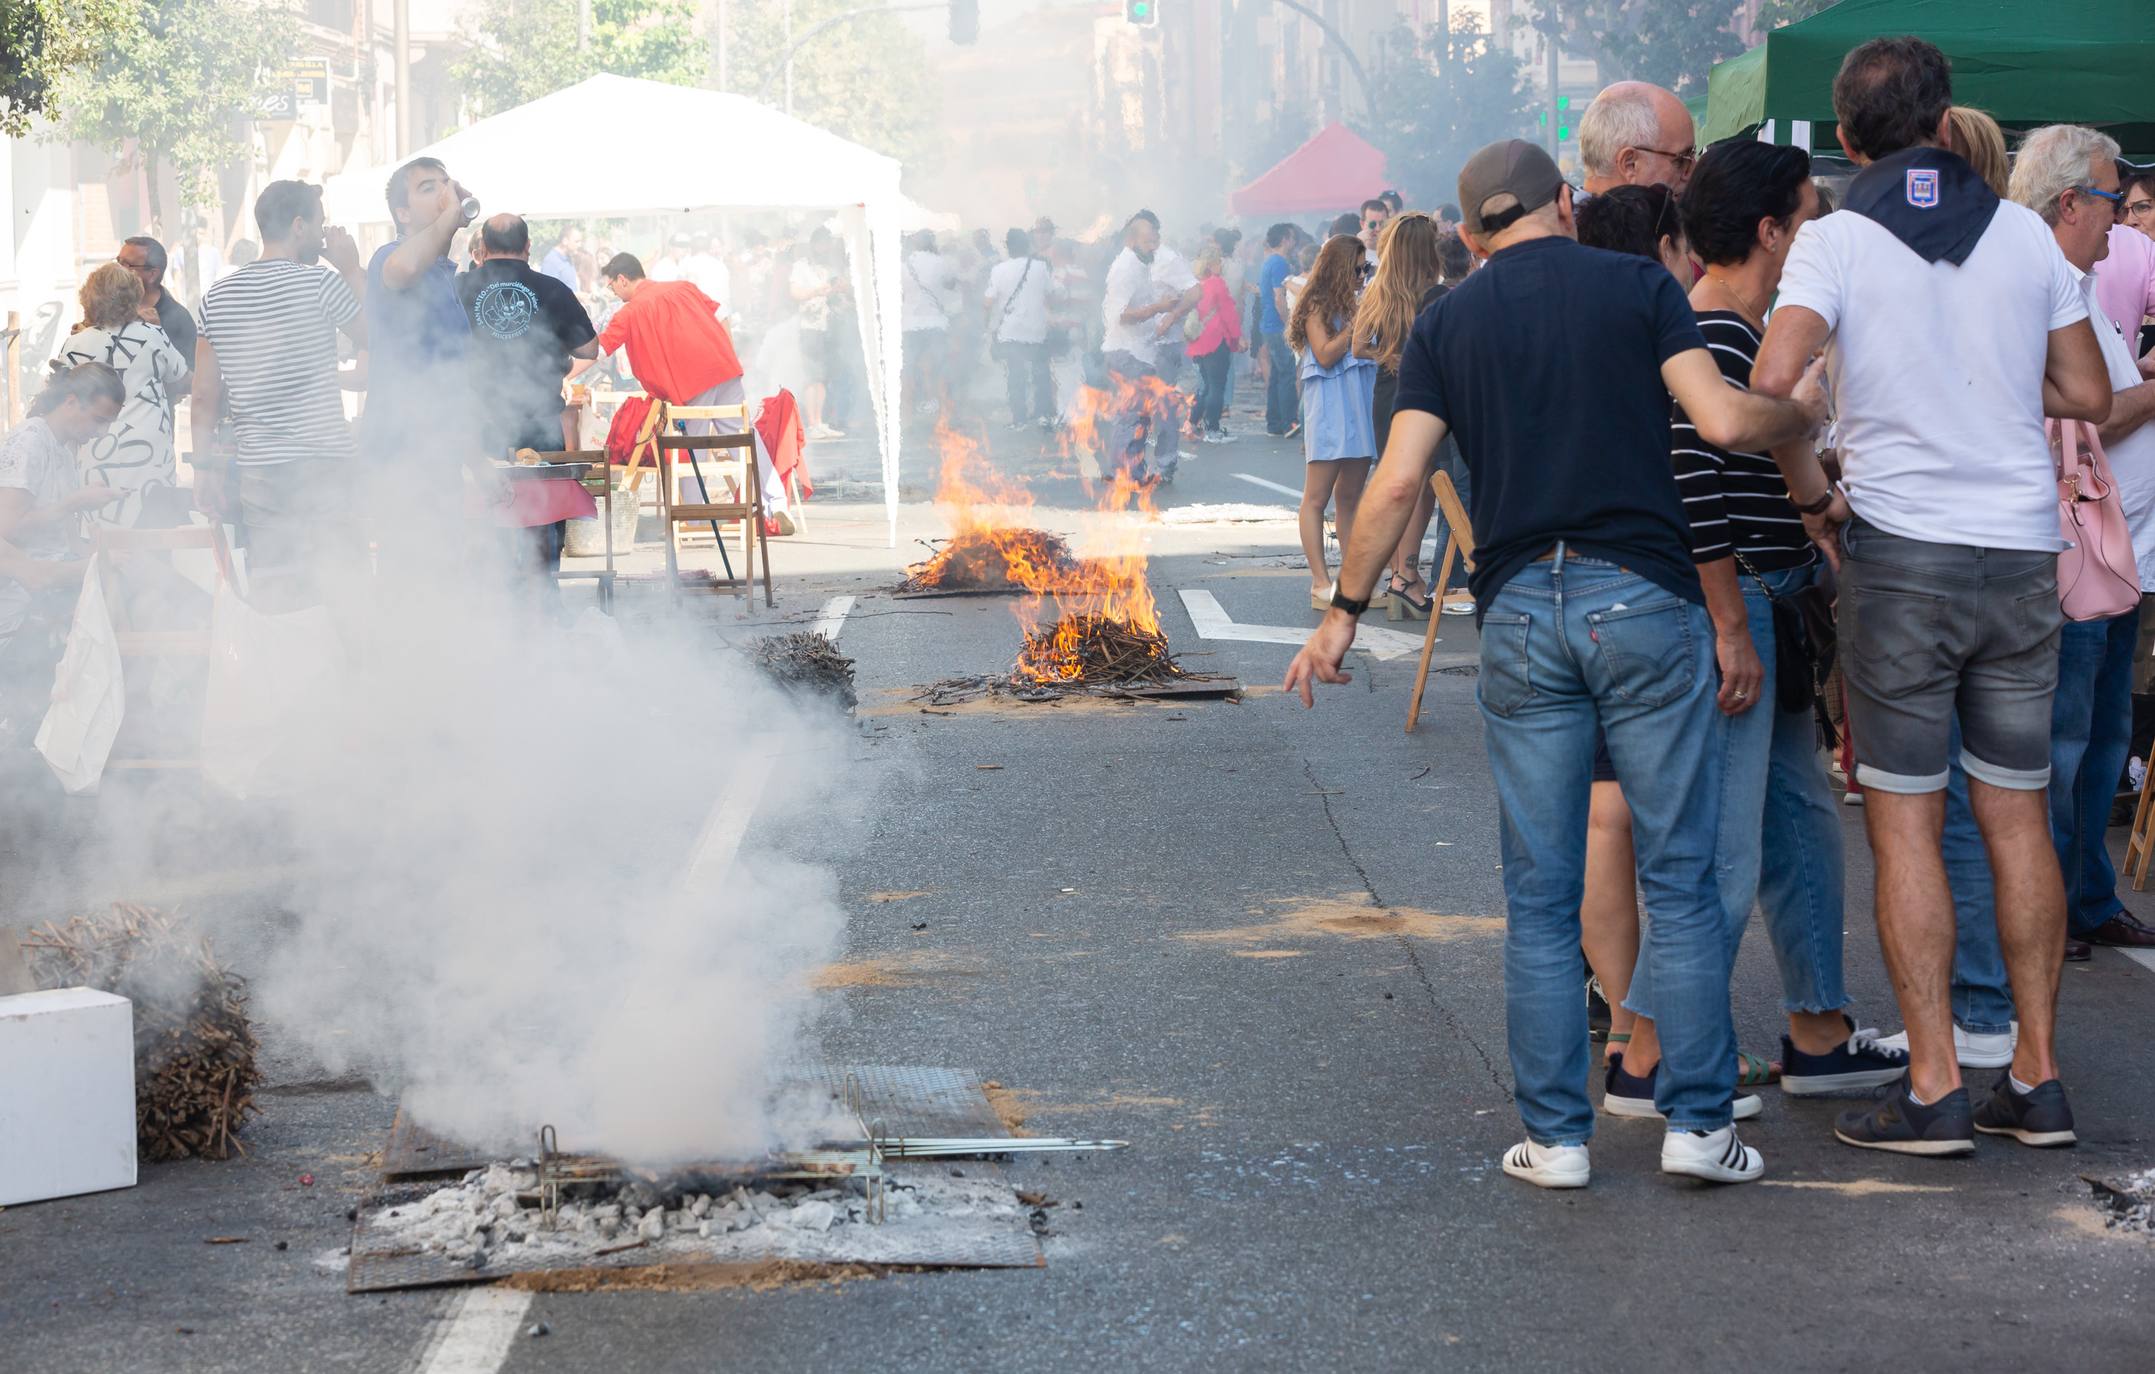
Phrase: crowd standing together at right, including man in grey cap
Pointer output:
(1747, 471)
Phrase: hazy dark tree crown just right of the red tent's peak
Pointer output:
(1430, 117)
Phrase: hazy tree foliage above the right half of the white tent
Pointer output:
(867, 79)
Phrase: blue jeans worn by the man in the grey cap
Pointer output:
(1570, 645)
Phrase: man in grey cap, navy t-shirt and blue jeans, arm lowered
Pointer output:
(1589, 615)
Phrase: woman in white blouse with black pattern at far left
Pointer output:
(135, 455)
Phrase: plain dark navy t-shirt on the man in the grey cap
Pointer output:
(1548, 369)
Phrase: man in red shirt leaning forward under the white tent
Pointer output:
(682, 356)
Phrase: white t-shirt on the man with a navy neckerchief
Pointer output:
(1938, 374)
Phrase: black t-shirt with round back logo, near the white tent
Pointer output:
(525, 326)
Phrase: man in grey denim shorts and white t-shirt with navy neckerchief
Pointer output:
(1951, 326)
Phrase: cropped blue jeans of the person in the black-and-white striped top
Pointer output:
(1781, 832)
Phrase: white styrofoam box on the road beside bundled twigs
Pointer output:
(66, 1095)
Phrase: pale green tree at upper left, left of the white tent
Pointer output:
(176, 81)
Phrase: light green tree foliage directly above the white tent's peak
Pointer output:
(527, 48)
